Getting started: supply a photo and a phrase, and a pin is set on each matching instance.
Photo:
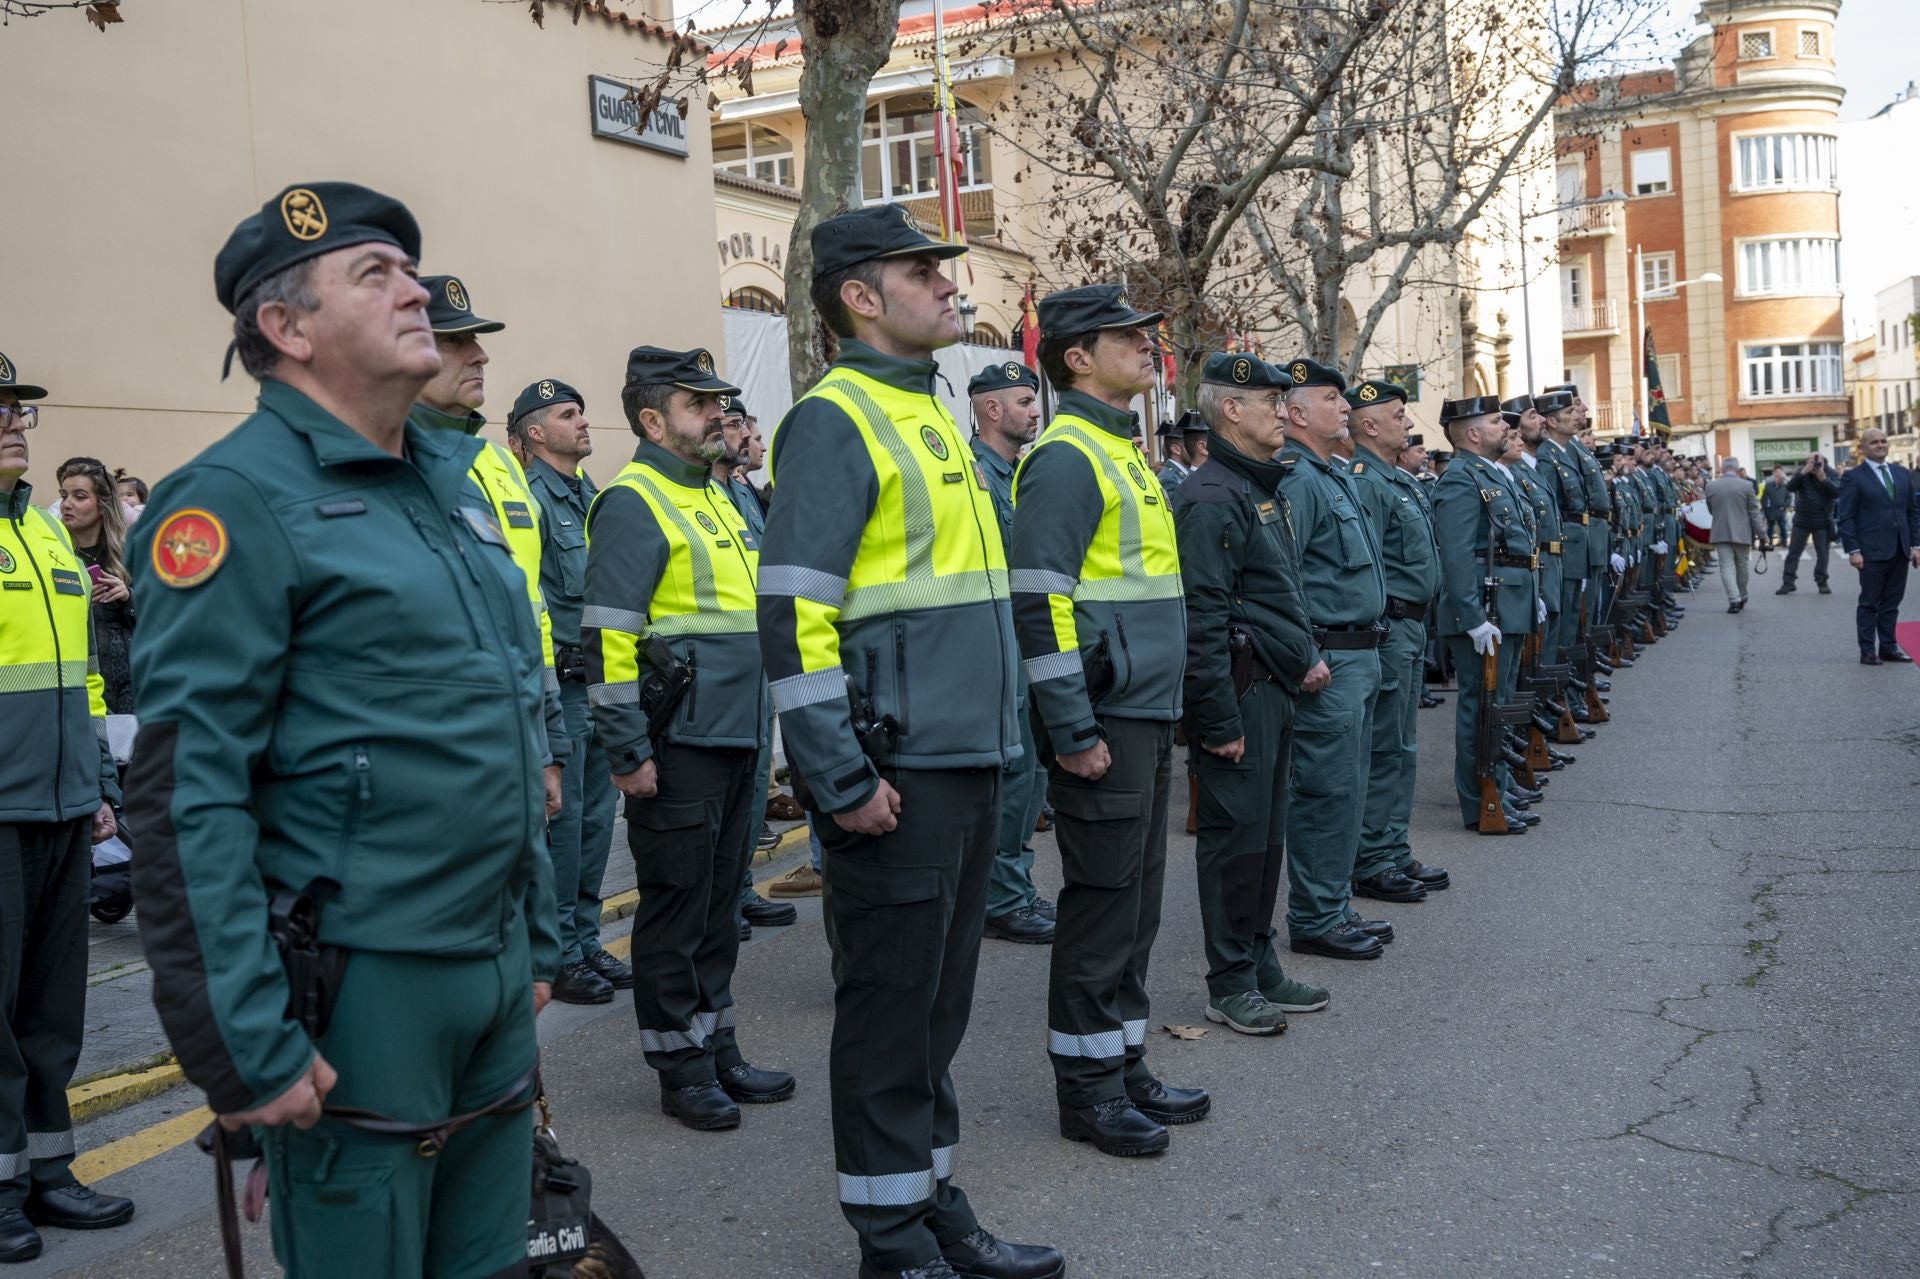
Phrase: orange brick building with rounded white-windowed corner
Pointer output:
(1725, 166)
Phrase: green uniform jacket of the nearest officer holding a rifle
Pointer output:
(1472, 500)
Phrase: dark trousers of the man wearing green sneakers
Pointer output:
(1239, 850)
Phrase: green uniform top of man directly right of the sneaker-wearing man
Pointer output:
(1339, 556)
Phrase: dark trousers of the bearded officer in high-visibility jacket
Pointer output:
(688, 856)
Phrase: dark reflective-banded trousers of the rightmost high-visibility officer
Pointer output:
(1115, 863)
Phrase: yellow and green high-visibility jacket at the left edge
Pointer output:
(55, 763)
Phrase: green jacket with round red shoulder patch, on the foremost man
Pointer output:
(354, 692)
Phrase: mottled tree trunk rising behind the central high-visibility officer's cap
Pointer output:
(844, 45)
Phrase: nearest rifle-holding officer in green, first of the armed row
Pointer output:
(1483, 535)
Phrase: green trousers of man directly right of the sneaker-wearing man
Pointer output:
(1330, 779)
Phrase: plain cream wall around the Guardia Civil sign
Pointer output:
(151, 141)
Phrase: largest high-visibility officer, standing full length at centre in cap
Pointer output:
(890, 642)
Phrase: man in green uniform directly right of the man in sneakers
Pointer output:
(1347, 600)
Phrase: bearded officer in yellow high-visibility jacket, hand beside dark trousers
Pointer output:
(671, 587)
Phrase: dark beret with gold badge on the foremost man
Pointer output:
(306, 222)
